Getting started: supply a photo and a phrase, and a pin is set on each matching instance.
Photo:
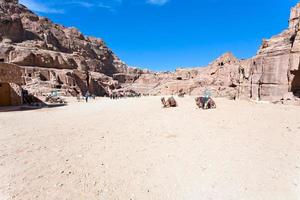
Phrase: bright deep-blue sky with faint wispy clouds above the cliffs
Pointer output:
(166, 34)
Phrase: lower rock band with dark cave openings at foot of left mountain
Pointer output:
(69, 82)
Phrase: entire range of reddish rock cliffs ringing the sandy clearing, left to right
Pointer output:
(61, 58)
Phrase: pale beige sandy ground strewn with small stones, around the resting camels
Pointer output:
(134, 149)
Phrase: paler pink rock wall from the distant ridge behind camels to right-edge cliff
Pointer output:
(271, 75)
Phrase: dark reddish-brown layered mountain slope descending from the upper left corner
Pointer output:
(54, 56)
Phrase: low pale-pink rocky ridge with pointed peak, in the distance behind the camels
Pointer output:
(221, 77)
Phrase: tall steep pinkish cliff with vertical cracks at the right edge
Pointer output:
(274, 71)
